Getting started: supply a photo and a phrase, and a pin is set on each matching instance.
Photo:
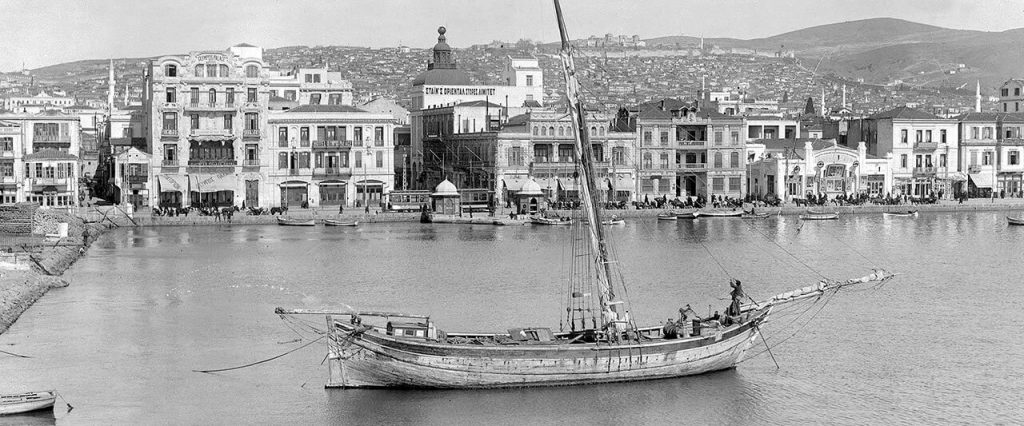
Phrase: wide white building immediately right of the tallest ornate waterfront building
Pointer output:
(329, 155)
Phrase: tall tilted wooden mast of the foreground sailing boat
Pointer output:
(585, 156)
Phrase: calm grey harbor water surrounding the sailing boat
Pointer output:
(941, 345)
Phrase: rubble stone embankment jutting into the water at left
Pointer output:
(32, 274)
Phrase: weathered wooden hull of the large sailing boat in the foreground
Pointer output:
(374, 360)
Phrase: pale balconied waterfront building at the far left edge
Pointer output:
(39, 158)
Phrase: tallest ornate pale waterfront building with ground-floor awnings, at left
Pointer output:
(207, 112)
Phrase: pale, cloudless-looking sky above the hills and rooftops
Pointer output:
(42, 33)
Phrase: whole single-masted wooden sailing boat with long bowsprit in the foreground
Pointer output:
(599, 343)
